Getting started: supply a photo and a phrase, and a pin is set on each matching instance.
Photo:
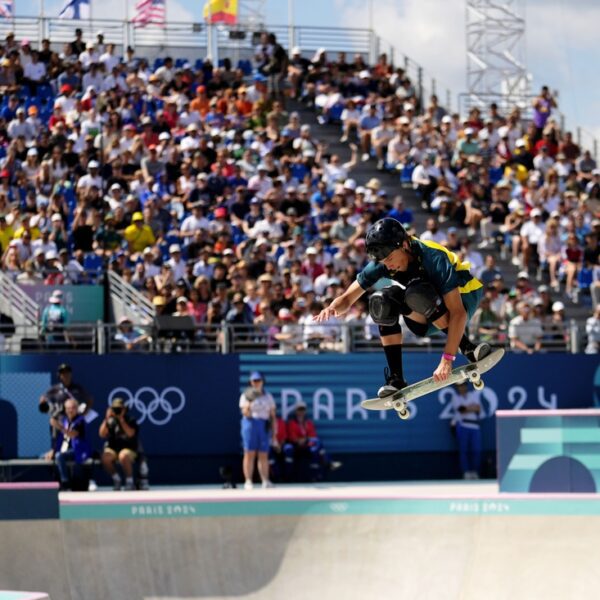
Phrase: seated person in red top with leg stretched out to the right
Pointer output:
(303, 442)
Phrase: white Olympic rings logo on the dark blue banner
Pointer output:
(146, 402)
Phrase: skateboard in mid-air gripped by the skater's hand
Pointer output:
(471, 372)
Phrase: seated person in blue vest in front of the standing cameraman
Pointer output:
(70, 445)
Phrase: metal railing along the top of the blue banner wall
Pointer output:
(169, 334)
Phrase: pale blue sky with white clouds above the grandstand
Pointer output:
(562, 48)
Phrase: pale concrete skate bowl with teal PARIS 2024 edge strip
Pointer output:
(459, 540)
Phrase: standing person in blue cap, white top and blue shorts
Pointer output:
(259, 428)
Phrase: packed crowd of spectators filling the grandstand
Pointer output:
(197, 185)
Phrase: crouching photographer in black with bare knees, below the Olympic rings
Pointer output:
(120, 430)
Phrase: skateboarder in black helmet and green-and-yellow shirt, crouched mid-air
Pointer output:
(430, 287)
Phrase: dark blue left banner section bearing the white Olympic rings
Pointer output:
(185, 404)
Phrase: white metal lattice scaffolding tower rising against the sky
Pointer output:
(496, 67)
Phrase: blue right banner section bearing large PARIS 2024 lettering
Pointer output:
(333, 385)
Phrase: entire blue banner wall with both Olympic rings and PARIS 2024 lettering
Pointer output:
(188, 404)
